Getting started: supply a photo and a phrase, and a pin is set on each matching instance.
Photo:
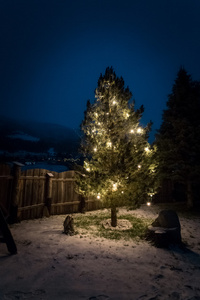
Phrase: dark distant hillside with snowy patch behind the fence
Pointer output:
(37, 137)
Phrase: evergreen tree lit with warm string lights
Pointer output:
(118, 159)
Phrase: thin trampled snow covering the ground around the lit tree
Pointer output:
(52, 265)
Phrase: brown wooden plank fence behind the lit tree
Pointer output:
(39, 192)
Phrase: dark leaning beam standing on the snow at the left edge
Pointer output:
(7, 236)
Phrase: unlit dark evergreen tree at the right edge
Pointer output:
(178, 139)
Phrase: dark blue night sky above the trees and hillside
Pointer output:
(52, 53)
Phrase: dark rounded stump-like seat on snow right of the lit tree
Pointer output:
(165, 230)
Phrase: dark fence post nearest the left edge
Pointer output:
(15, 193)
